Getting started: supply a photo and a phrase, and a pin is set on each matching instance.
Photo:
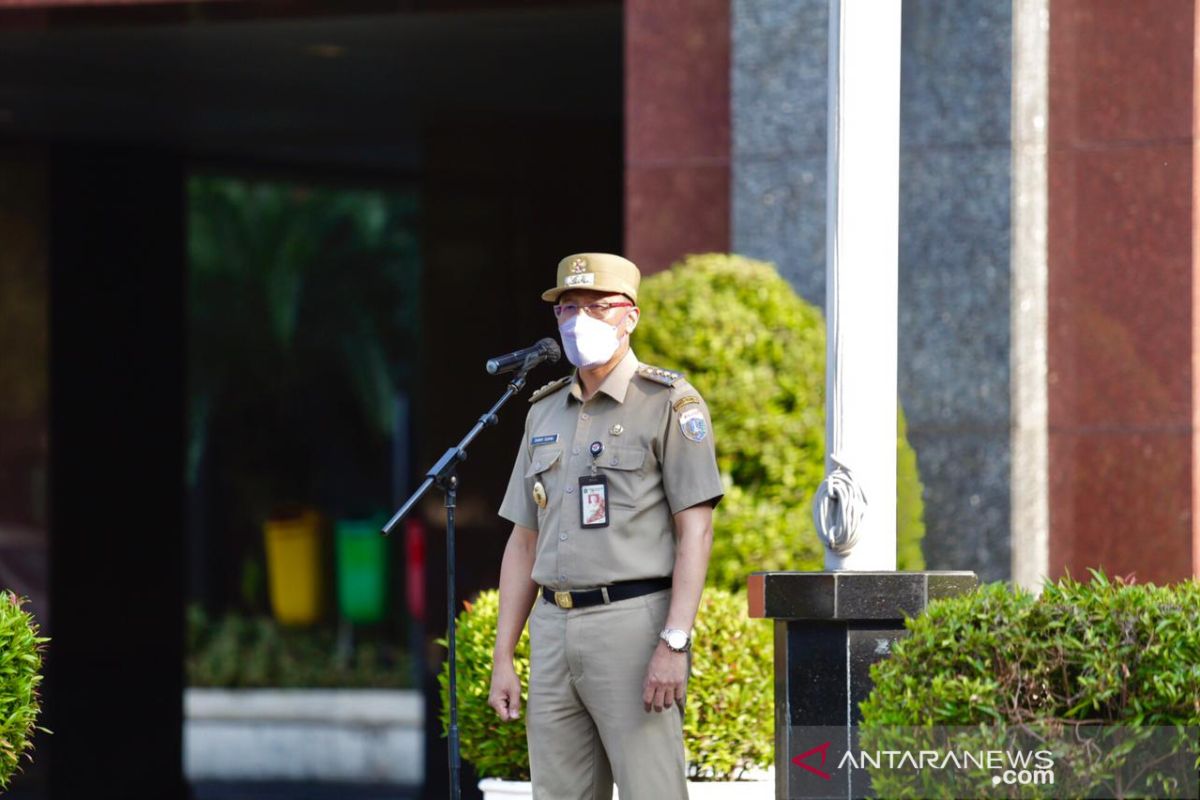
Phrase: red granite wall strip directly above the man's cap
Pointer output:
(677, 130)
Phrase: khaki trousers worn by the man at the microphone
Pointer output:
(585, 719)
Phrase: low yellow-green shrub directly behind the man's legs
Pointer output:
(729, 717)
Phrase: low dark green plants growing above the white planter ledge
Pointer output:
(256, 652)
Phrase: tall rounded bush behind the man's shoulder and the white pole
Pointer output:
(755, 351)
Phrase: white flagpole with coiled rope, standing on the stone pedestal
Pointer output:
(862, 237)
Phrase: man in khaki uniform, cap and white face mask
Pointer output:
(611, 500)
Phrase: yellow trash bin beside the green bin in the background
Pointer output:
(293, 563)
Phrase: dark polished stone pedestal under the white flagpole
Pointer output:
(830, 629)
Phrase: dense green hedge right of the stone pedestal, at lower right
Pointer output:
(1107, 657)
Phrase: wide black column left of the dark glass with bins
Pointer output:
(118, 424)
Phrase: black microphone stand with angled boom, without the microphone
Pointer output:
(443, 476)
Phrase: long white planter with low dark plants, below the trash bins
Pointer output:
(265, 700)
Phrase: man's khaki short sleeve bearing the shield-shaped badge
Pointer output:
(689, 459)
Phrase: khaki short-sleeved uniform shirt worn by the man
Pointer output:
(658, 459)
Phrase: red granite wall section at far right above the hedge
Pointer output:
(1121, 326)
